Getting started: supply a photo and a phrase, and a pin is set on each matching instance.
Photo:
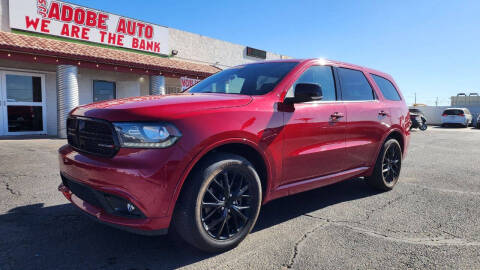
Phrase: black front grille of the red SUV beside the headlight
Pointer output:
(92, 136)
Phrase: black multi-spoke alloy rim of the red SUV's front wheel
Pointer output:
(226, 204)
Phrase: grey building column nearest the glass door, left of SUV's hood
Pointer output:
(67, 96)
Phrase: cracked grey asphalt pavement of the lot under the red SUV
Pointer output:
(430, 220)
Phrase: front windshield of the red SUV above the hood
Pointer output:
(252, 79)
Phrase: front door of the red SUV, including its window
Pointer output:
(314, 132)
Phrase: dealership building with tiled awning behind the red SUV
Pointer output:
(55, 56)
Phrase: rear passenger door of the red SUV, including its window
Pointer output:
(367, 118)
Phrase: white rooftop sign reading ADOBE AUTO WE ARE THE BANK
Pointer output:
(72, 21)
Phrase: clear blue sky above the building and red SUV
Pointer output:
(429, 47)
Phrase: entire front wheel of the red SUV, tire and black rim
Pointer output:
(206, 216)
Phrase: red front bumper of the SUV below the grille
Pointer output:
(144, 178)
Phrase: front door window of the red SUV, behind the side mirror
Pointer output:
(321, 75)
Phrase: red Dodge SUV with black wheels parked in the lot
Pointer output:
(202, 162)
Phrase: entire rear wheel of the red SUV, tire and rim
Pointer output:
(385, 181)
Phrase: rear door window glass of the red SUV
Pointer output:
(354, 85)
